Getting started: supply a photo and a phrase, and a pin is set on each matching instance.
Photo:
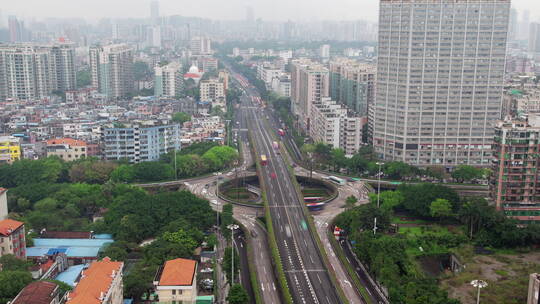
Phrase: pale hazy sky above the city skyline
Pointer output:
(215, 9)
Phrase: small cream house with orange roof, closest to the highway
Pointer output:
(176, 281)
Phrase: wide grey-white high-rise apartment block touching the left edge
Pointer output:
(31, 71)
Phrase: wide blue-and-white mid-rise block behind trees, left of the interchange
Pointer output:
(138, 143)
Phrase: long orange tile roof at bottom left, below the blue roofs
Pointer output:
(97, 279)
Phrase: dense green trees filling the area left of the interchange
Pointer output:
(93, 195)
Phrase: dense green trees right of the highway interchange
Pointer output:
(450, 223)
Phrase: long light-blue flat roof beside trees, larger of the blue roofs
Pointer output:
(71, 247)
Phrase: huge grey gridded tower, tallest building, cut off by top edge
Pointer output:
(439, 80)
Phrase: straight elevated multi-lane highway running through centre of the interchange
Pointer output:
(308, 279)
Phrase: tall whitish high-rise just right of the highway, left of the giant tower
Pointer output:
(309, 84)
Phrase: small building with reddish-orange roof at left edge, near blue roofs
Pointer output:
(12, 238)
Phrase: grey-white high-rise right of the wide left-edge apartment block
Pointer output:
(112, 69)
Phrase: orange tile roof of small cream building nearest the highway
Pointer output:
(178, 272)
